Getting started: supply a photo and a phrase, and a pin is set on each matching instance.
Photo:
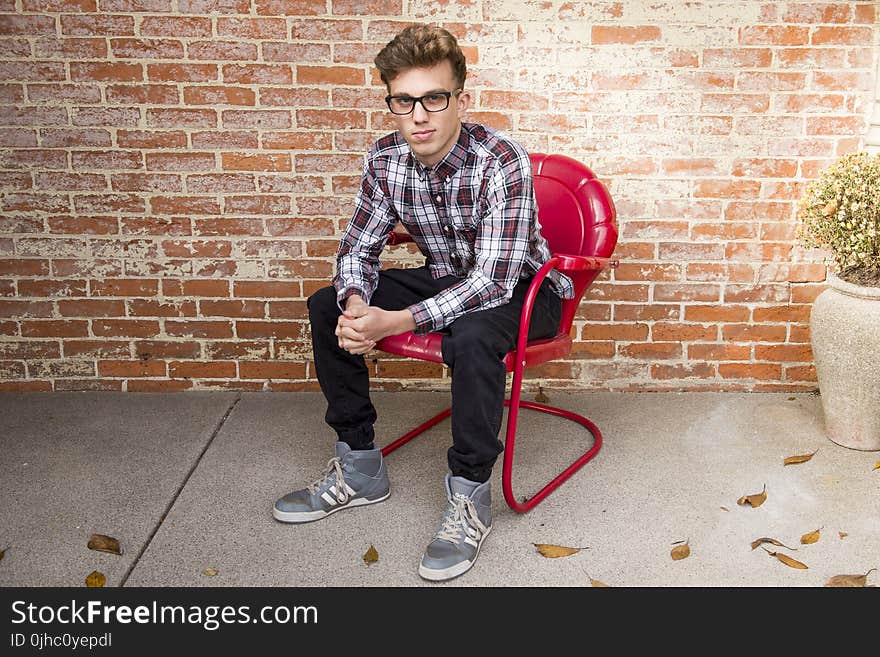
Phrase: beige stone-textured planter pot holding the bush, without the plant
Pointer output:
(845, 332)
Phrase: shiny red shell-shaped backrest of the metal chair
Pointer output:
(577, 217)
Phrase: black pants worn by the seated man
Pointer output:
(473, 347)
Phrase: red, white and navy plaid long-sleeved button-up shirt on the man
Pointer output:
(473, 215)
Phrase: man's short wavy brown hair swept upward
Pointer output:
(421, 46)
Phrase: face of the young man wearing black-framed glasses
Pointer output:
(430, 135)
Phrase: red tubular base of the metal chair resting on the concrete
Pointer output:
(514, 404)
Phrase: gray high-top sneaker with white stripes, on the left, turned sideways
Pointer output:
(353, 478)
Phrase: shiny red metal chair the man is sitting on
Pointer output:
(578, 219)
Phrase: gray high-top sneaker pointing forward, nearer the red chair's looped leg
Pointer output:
(466, 522)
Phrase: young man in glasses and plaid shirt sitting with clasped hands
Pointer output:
(464, 193)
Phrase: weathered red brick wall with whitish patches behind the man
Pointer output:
(174, 175)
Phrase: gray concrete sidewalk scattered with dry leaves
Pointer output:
(186, 482)
